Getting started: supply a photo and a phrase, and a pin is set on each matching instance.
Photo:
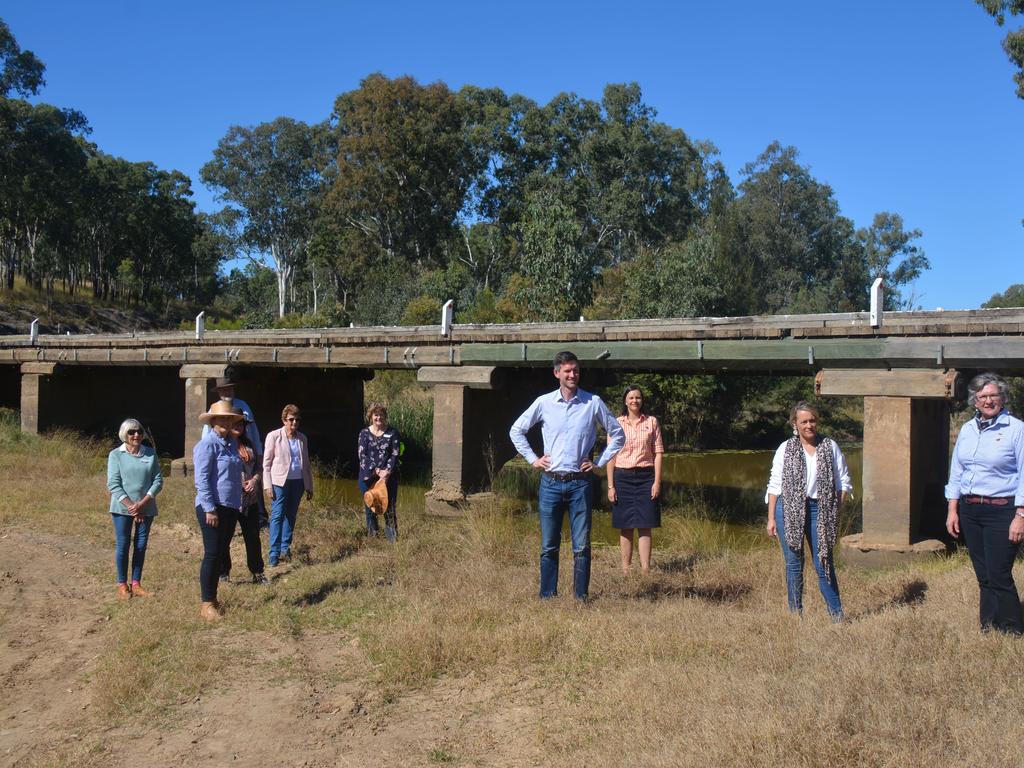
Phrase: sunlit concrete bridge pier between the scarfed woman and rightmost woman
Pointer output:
(907, 459)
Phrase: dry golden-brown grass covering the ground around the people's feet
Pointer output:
(699, 665)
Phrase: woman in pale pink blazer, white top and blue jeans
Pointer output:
(286, 476)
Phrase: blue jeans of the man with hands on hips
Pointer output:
(556, 498)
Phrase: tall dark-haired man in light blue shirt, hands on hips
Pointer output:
(569, 419)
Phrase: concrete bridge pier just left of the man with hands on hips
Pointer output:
(475, 407)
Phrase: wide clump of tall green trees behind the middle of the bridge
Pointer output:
(410, 195)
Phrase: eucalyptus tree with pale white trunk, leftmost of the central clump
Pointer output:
(271, 177)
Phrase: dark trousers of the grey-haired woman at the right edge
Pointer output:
(987, 531)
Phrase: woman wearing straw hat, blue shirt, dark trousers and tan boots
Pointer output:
(219, 496)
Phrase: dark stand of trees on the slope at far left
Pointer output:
(74, 216)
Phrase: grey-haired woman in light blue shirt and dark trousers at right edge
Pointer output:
(986, 496)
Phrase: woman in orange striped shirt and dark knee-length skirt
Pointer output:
(635, 481)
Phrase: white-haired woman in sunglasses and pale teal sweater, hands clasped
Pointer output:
(134, 479)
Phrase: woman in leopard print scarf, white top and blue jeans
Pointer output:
(809, 483)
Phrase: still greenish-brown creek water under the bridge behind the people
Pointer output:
(726, 487)
